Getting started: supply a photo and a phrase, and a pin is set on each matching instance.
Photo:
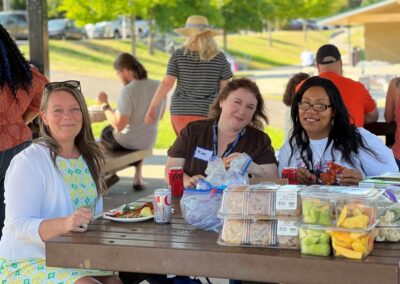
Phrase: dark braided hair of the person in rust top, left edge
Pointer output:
(15, 71)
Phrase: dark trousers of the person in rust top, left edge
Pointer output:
(5, 160)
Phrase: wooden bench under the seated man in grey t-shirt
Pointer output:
(119, 160)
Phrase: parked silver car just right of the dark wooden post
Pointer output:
(65, 29)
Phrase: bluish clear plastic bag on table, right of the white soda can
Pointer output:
(200, 208)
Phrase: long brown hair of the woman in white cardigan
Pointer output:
(91, 151)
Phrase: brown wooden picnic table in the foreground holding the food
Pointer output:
(180, 249)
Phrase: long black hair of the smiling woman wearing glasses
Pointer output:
(345, 136)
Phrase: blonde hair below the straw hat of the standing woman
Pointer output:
(204, 43)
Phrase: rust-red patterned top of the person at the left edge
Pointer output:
(13, 130)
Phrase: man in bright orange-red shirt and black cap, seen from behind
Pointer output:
(361, 106)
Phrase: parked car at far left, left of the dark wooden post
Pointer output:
(16, 23)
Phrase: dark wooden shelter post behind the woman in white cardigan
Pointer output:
(38, 35)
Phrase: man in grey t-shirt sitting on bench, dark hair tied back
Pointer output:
(128, 130)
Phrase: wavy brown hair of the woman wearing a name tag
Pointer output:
(241, 83)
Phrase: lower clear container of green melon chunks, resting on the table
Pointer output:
(314, 241)
